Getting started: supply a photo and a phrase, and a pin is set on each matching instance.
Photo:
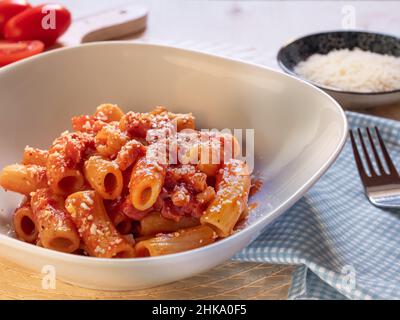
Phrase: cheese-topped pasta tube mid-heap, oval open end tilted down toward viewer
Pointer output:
(146, 182)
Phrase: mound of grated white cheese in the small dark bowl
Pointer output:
(352, 70)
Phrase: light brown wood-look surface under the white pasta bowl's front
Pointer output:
(230, 280)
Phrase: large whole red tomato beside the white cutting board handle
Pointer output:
(45, 23)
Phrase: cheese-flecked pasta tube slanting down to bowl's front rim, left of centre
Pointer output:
(97, 231)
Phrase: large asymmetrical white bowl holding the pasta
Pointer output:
(299, 131)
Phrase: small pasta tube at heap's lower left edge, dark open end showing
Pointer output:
(25, 224)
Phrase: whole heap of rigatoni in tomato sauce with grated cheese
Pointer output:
(123, 185)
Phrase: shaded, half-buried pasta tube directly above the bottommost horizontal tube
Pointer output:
(154, 223)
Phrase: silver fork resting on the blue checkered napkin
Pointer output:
(382, 188)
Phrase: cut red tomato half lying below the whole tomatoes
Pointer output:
(14, 51)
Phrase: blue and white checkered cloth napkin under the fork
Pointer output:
(344, 246)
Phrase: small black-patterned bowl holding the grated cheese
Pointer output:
(299, 50)
